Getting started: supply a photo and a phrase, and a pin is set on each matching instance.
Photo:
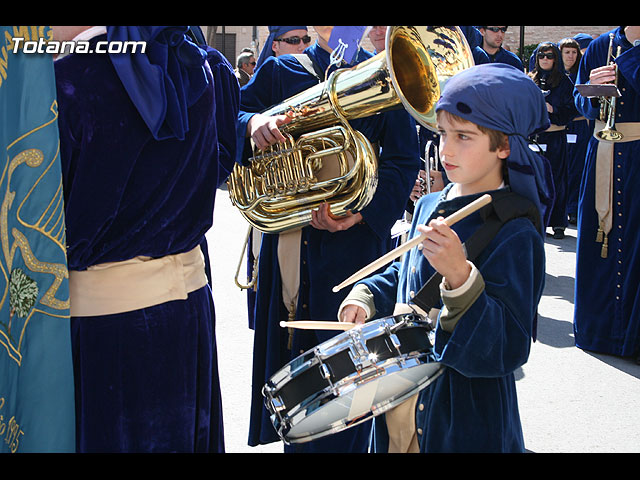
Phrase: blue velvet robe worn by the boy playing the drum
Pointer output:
(472, 406)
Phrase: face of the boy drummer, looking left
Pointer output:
(465, 156)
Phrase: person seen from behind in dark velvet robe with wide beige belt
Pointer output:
(145, 139)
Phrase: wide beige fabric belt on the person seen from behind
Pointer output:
(137, 283)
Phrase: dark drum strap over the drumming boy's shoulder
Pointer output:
(505, 206)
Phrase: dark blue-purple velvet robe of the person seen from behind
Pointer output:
(147, 380)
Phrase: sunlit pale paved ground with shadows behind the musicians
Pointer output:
(570, 400)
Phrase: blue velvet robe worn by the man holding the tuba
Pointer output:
(326, 258)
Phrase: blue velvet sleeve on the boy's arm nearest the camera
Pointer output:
(493, 337)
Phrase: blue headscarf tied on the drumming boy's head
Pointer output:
(501, 97)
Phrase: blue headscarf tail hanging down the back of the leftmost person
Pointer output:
(164, 81)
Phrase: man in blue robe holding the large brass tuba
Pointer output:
(297, 269)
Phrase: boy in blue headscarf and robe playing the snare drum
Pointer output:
(485, 325)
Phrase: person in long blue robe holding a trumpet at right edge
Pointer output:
(607, 287)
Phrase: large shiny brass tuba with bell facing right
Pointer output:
(324, 159)
